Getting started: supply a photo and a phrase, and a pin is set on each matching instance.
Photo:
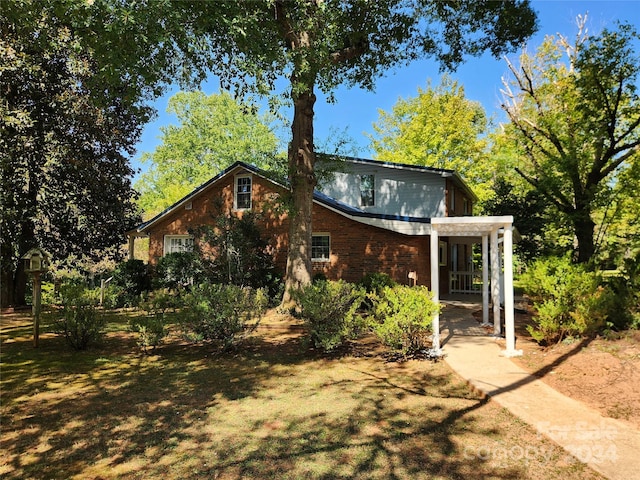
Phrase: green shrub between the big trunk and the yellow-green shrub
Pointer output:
(329, 311)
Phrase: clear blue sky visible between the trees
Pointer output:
(355, 110)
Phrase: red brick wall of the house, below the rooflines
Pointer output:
(356, 249)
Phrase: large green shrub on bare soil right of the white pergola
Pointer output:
(569, 300)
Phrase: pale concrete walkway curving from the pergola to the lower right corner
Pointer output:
(610, 447)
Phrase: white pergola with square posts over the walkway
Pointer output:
(490, 231)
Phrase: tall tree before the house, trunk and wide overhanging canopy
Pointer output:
(313, 44)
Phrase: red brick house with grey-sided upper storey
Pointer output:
(370, 217)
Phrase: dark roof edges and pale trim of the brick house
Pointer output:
(420, 225)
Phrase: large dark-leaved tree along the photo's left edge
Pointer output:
(65, 136)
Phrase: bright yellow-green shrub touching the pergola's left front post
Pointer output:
(402, 318)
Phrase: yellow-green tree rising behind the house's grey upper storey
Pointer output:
(438, 128)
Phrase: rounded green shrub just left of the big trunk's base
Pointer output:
(223, 314)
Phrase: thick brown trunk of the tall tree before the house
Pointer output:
(303, 182)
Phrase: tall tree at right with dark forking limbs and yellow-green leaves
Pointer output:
(578, 120)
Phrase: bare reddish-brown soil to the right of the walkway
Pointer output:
(603, 373)
